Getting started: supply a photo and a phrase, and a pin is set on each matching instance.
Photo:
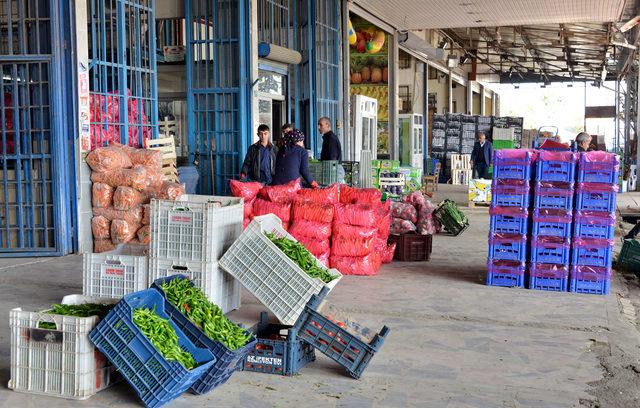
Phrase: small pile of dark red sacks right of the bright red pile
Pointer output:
(413, 214)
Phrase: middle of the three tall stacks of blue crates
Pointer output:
(552, 219)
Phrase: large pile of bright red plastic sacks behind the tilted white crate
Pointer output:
(345, 228)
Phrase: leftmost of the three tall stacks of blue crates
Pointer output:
(509, 227)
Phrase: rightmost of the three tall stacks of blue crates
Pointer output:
(594, 219)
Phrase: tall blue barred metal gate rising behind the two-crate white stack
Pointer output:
(217, 92)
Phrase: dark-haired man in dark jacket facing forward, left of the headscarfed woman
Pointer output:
(260, 161)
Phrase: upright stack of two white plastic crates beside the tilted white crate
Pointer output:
(189, 236)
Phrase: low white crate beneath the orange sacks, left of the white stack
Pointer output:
(116, 273)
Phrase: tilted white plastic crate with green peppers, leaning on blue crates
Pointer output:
(274, 279)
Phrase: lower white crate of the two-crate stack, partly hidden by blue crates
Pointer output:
(220, 287)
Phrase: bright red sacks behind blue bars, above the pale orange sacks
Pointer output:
(104, 116)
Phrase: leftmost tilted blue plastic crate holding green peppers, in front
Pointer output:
(155, 380)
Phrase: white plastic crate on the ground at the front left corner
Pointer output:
(62, 362)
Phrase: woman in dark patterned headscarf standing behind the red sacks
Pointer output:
(292, 161)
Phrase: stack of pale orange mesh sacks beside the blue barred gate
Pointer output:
(125, 179)
